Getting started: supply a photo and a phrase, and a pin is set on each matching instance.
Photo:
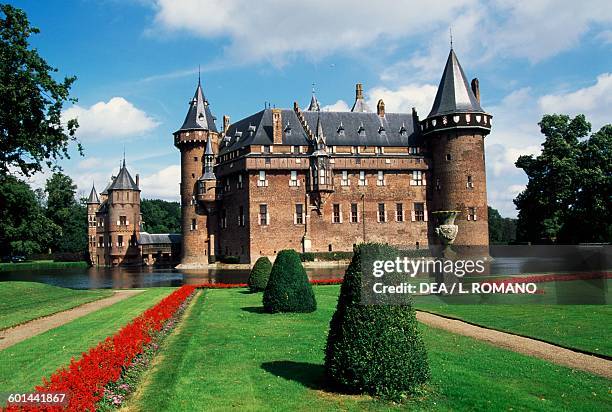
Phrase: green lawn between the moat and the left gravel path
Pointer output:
(24, 301)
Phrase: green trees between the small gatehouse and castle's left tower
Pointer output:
(160, 216)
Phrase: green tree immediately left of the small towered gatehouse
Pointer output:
(70, 215)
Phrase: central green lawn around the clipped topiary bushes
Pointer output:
(228, 354)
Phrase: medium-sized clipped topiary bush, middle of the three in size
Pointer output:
(288, 288)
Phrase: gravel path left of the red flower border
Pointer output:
(11, 336)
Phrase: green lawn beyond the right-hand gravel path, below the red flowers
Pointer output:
(584, 327)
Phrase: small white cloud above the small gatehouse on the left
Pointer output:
(112, 119)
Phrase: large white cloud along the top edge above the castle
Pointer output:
(275, 30)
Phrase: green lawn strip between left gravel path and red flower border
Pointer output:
(23, 365)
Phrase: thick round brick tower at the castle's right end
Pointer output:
(454, 131)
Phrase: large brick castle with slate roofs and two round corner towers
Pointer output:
(318, 181)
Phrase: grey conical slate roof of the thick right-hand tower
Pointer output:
(454, 93)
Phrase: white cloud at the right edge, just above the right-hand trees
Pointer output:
(594, 101)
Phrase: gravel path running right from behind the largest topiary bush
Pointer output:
(531, 347)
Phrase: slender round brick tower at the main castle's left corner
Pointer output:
(198, 129)
